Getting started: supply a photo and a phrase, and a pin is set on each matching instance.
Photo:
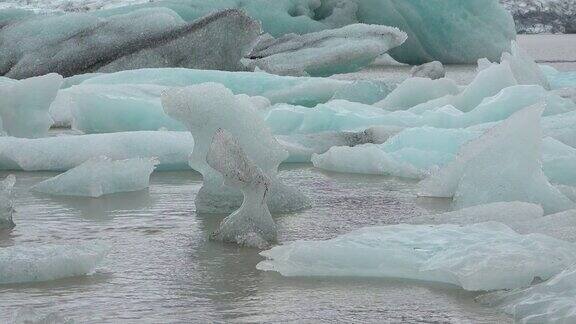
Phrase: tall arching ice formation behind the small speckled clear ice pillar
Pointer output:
(204, 109)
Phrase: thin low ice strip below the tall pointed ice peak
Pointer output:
(509, 213)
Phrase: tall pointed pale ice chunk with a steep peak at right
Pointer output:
(504, 164)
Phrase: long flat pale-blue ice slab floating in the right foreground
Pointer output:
(484, 256)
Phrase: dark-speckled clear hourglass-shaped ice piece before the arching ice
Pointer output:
(250, 225)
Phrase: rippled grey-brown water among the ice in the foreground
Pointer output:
(163, 269)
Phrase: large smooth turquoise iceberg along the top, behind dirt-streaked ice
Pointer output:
(475, 29)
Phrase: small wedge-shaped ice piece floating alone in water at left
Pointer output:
(101, 176)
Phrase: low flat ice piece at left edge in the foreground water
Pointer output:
(30, 263)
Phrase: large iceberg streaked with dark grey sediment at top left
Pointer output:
(78, 43)
